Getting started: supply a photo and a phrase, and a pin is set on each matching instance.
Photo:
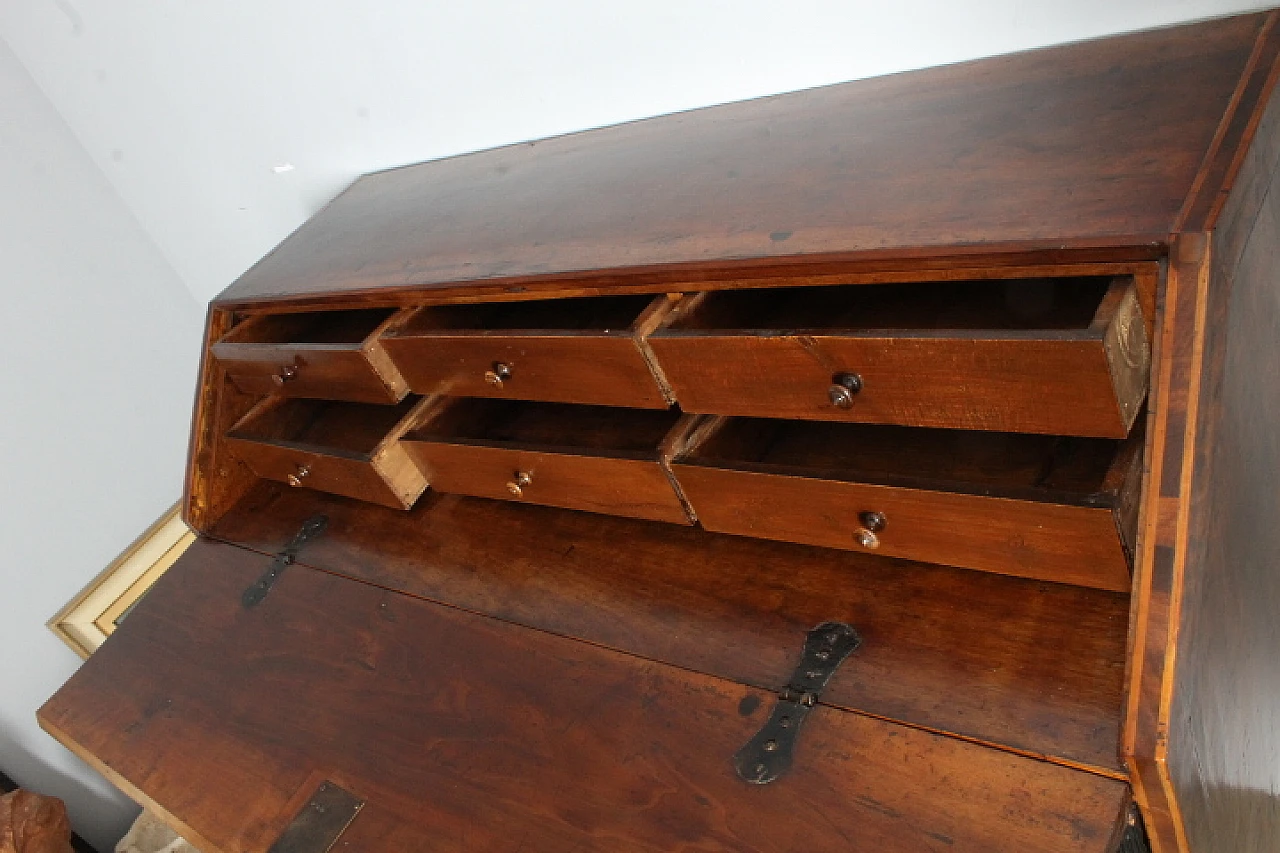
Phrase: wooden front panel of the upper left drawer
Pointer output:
(298, 371)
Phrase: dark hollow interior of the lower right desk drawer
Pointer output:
(1007, 464)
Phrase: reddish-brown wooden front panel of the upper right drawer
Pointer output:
(1008, 385)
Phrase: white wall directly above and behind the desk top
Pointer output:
(189, 107)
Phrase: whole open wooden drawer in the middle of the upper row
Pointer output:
(574, 350)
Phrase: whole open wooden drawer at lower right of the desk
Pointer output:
(1035, 507)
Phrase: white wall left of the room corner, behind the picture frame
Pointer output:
(98, 364)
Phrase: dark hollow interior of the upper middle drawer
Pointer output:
(587, 314)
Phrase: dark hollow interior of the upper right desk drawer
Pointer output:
(981, 305)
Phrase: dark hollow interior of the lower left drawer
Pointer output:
(353, 431)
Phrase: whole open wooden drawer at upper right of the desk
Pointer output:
(1058, 357)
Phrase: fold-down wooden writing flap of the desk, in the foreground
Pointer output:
(464, 733)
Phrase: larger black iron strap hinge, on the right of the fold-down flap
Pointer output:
(769, 755)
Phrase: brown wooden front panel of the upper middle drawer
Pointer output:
(583, 370)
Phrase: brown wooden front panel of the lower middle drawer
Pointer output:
(630, 487)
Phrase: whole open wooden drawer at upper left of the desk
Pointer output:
(327, 355)
